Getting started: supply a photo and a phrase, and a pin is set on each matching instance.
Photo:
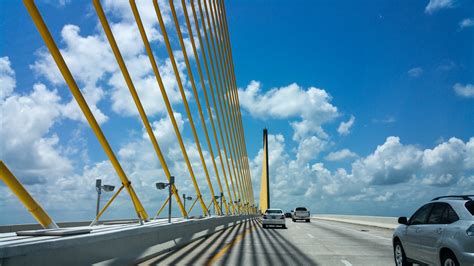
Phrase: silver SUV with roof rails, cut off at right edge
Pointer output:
(441, 232)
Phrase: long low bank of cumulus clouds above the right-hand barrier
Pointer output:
(389, 173)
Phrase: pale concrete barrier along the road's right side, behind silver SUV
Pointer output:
(377, 221)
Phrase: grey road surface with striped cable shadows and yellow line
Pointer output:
(315, 243)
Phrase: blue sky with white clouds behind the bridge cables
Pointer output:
(368, 103)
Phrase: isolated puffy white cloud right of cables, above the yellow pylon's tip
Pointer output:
(312, 106)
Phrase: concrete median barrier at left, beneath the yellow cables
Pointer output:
(127, 246)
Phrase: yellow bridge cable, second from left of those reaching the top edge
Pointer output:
(136, 99)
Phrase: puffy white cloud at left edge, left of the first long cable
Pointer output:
(25, 124)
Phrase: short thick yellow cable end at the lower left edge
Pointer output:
(33, 207)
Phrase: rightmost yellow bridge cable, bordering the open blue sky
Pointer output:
(236, 98)
